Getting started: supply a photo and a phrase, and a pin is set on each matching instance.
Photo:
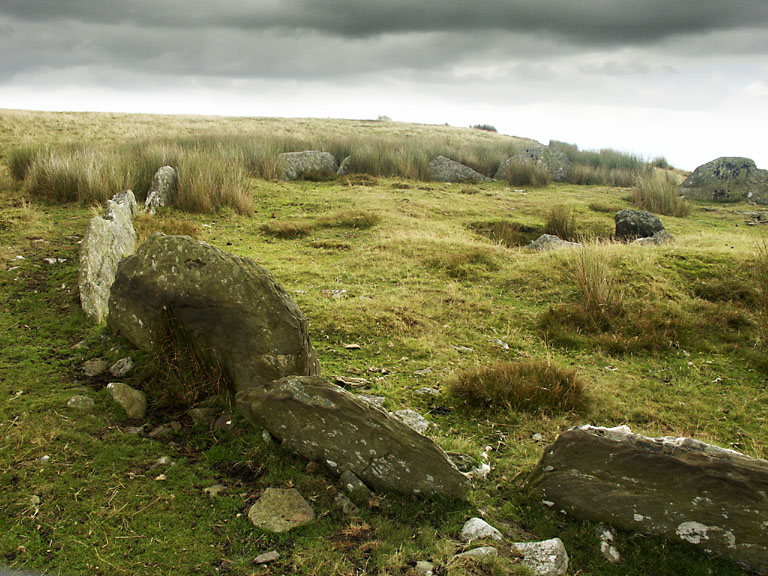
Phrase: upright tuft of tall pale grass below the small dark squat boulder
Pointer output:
(599, 295)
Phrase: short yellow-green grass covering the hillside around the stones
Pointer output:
(432, 282)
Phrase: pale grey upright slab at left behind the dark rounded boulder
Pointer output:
(107, 241)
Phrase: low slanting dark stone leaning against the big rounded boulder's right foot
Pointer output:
(323, 422)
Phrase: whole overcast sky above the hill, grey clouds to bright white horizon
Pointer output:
(686, 79)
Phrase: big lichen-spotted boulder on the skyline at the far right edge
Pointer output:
(727, 179)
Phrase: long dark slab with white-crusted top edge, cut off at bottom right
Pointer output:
(679, 488)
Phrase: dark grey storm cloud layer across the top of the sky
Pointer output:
(338, 38)
